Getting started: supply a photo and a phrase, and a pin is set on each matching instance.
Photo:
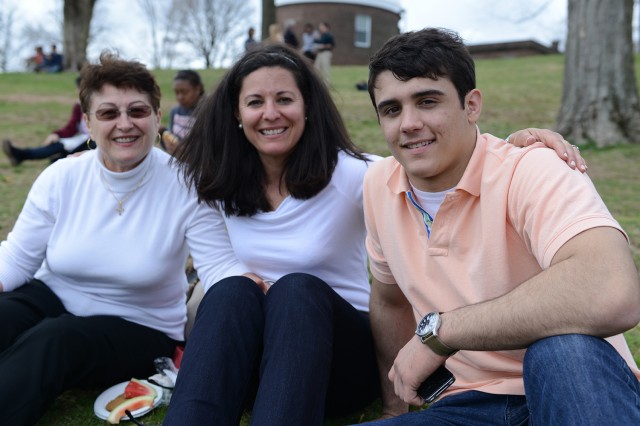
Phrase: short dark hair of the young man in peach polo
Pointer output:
(430, 53)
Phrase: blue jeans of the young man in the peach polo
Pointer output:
(569, 380)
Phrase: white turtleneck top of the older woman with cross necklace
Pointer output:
(70, 236)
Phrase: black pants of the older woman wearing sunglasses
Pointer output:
(45, 350)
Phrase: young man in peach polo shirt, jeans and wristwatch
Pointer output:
(518, 276)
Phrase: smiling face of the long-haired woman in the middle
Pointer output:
(272, 112)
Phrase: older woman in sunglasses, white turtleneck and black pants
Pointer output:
(92, 282)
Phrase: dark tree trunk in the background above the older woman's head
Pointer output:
(77, 20)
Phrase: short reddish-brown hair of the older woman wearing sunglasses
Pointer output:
(119, 73)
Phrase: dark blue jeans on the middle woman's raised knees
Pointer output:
(297, 353)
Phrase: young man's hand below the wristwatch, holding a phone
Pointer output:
(414, 363)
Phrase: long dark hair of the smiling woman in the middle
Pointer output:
(217, 159)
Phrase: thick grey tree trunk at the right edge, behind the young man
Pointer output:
(600, 96)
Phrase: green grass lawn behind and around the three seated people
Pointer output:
(518, 93)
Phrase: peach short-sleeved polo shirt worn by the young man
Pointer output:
(503, 223)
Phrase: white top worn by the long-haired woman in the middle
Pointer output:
(323, 236)
